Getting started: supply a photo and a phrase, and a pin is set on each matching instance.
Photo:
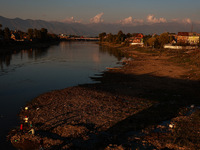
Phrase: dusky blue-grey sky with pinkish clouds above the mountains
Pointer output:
(107, 11)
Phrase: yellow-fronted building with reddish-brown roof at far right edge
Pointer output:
(188, 38)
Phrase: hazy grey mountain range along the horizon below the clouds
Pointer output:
(93, 29)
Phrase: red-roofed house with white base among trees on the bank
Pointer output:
(136, 39)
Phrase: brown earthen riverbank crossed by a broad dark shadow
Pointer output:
(116, 113)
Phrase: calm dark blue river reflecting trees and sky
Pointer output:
(26, 74)
